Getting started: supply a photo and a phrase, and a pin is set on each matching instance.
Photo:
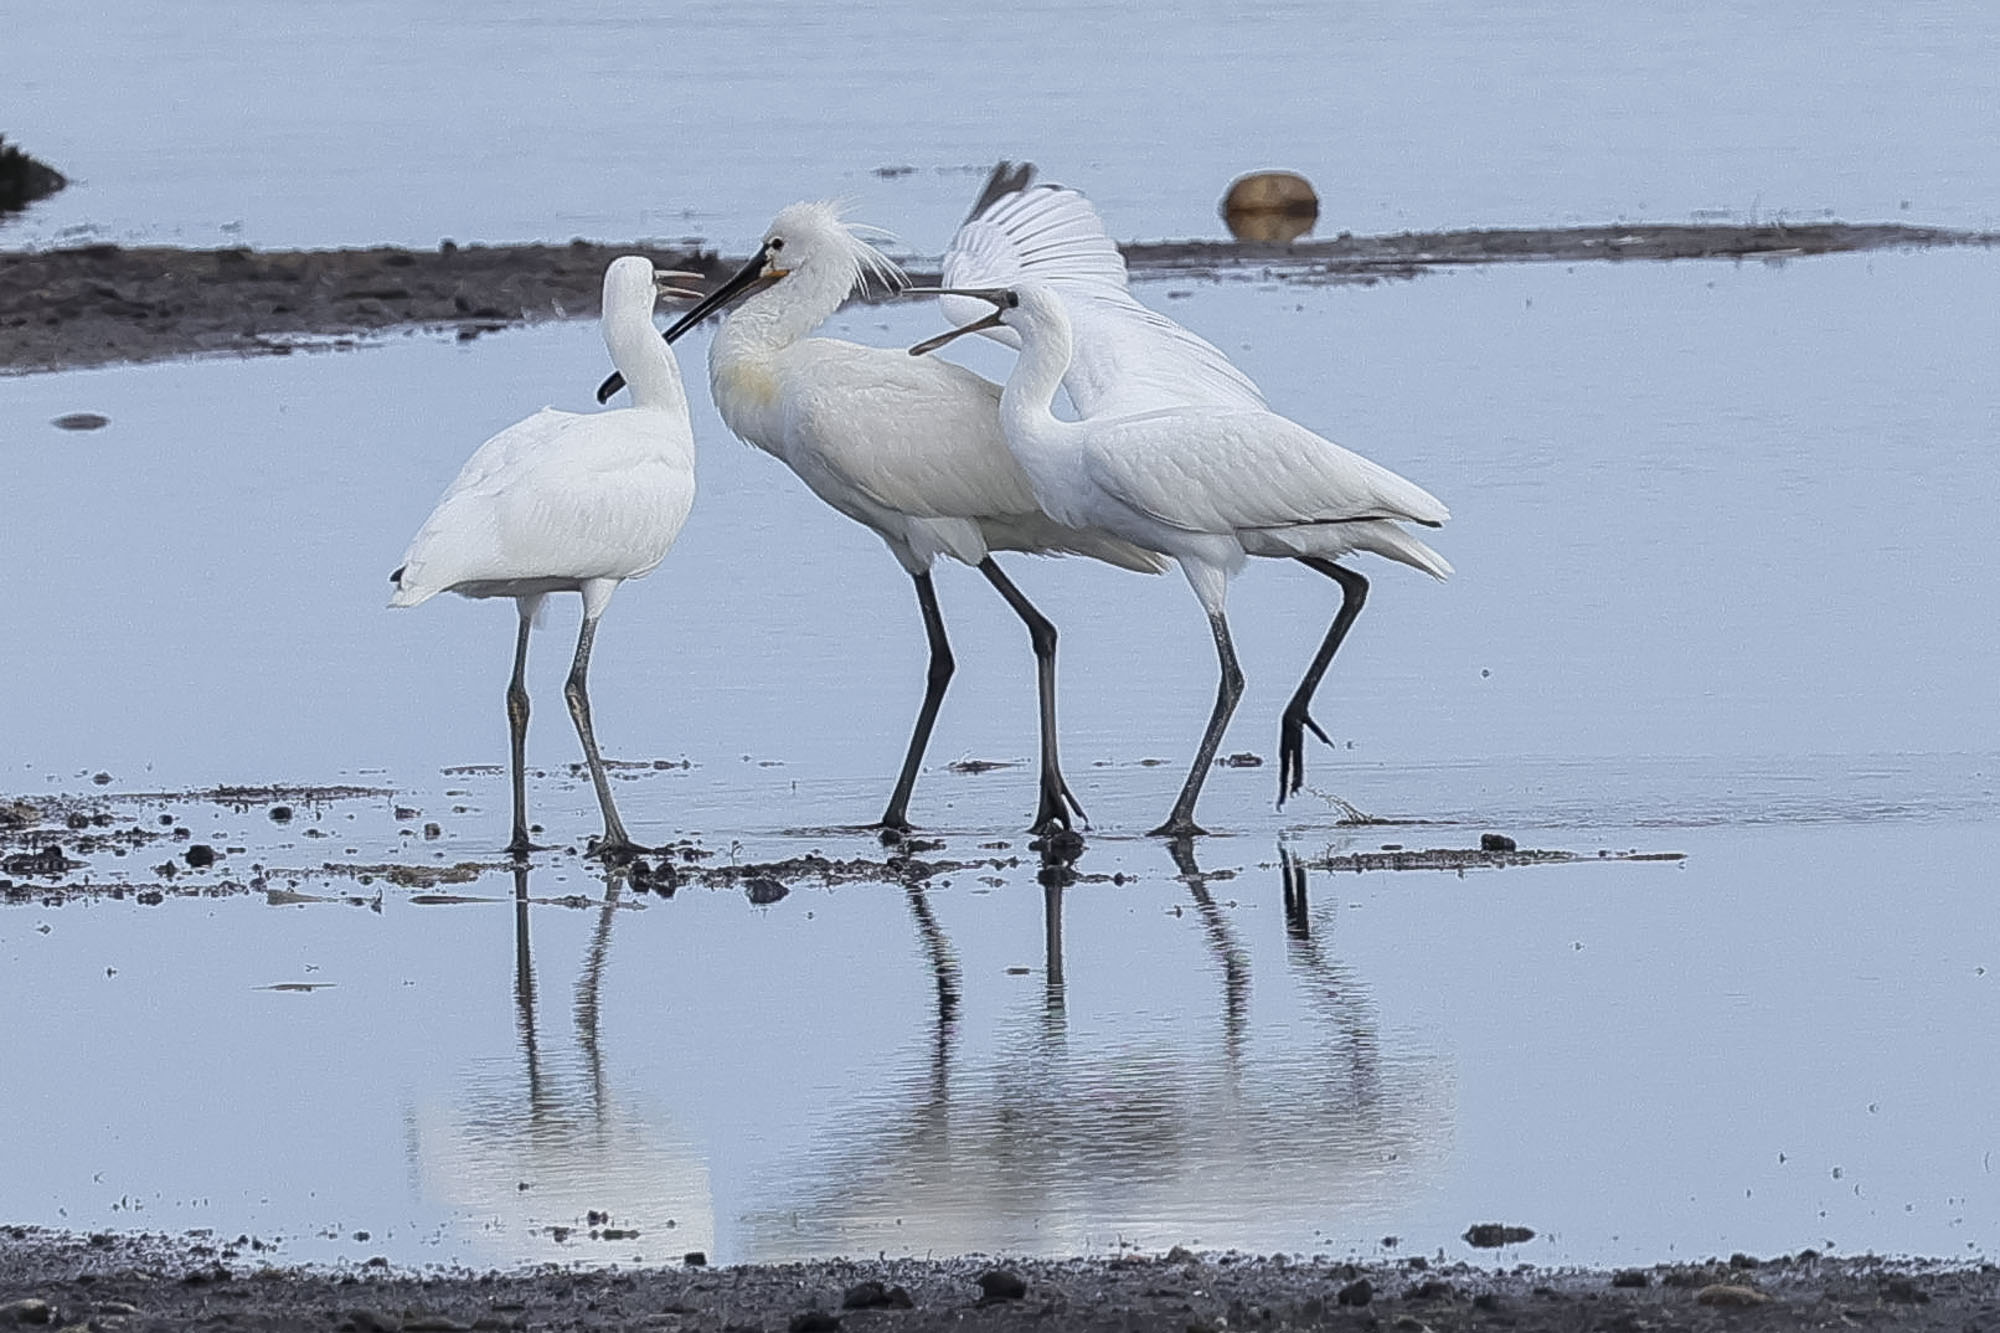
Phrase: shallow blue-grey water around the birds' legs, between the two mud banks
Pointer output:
(1719, 535)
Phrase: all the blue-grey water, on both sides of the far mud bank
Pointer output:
(1721, 539)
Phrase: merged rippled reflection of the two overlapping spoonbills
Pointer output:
(1095, 1116)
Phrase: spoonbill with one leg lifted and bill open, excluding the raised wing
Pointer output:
(1209, 487)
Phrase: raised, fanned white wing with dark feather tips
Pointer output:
(1129, 357)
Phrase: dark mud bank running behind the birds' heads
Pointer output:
(109, 305)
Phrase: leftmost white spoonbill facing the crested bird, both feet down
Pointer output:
(569, 503)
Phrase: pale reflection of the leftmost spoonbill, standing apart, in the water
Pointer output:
(533, 1148)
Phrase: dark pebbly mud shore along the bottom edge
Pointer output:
(133, 1284)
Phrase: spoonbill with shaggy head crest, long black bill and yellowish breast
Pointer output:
(911, 449)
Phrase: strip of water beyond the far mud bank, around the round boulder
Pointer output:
(507, 121)
